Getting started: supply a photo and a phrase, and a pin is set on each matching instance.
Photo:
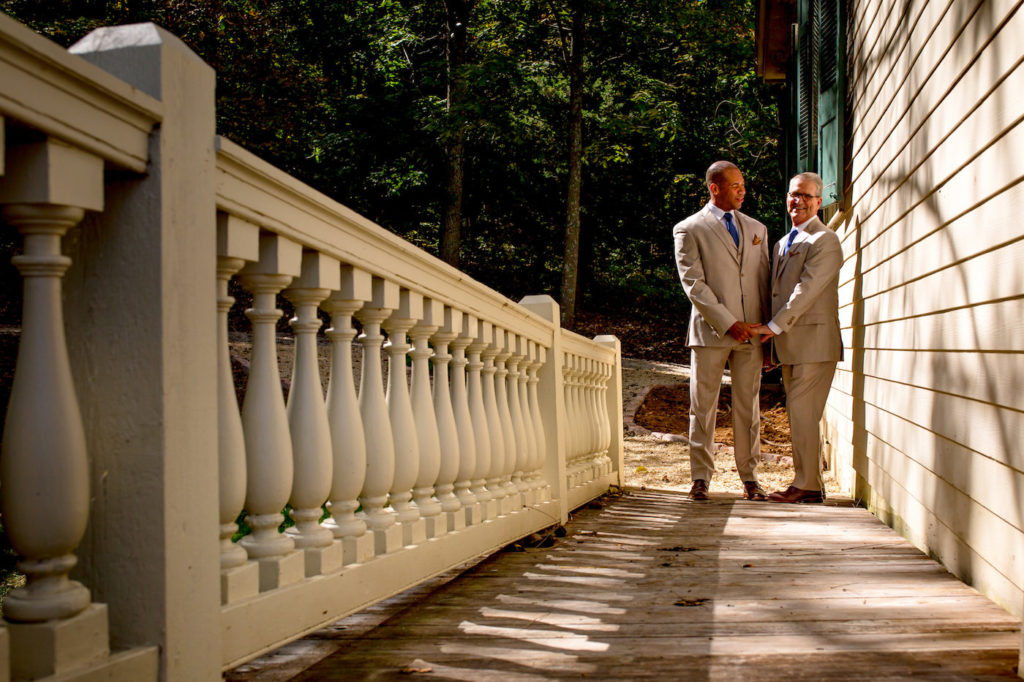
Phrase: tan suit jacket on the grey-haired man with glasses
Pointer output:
(805, 299)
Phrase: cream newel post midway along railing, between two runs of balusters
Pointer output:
(551, 401)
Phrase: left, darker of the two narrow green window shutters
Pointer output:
(807, 87)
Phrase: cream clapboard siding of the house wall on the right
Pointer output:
(928, 406)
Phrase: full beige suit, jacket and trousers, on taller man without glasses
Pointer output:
(726, 284)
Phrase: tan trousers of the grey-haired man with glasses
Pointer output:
(807, 388)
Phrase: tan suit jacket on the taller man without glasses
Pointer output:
(724, 283)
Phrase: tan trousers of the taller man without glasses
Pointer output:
(707, 367)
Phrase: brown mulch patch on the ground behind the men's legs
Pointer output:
(666, 410)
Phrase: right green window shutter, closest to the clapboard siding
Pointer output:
(831, 99)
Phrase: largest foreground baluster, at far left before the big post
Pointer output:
(44, 460)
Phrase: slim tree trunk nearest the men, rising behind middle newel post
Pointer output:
(571, 262)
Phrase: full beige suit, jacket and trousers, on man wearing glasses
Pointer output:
(805, 307)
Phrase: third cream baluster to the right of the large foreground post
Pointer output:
(312, 450)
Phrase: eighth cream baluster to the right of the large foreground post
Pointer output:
(448, 432)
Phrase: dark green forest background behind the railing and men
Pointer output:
(543, 147)
